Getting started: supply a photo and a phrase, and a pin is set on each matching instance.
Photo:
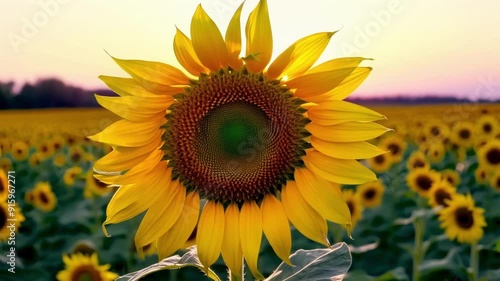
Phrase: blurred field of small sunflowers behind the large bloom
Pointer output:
(433, 214)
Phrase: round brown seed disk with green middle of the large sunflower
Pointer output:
(235, 136)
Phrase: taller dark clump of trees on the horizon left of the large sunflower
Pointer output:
(47, 93)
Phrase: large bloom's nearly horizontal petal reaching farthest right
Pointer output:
(347, 132)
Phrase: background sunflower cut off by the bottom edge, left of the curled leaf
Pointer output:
(80, 267)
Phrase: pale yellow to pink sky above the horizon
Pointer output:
(447, 46)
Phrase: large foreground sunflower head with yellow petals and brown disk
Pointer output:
(262, 144)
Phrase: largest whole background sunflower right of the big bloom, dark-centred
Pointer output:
(462, 220)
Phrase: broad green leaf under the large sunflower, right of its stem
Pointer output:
(315, 265)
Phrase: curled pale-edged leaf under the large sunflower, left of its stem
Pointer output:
(174, 262)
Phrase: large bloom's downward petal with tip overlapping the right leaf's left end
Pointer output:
(276, 227)
